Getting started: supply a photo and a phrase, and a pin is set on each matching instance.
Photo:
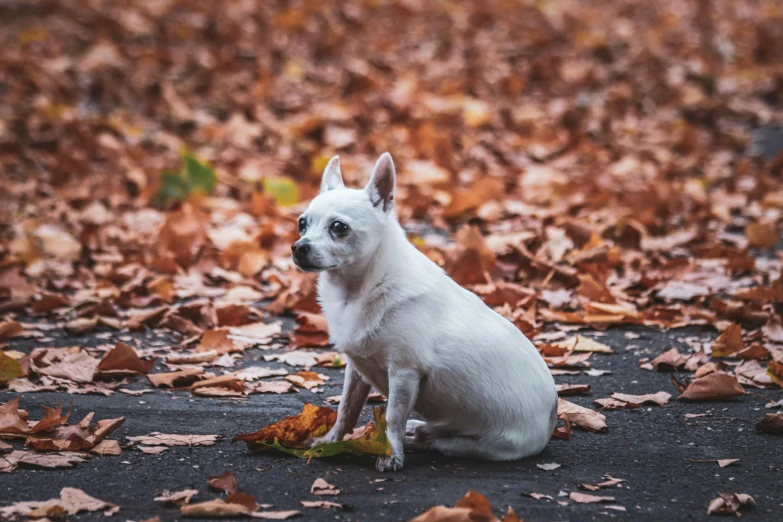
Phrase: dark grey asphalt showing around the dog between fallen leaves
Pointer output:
(646, 447)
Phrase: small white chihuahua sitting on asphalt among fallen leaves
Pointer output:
(422, 340)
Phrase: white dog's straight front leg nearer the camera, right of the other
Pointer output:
(403, 387)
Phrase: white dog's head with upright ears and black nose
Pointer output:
(342, 226)
